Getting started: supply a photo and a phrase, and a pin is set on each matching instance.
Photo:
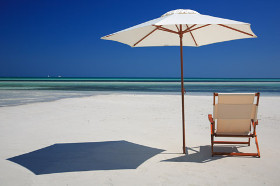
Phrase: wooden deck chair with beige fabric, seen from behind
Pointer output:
(235, 115)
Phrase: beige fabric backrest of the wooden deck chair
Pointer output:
(233, 112)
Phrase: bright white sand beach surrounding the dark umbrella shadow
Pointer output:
(150, 120)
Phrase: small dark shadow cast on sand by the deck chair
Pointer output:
(202, 154)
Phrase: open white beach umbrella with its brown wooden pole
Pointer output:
(182, 27)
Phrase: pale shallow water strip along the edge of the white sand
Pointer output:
(22, 97)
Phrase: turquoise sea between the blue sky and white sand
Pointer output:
(16, 91)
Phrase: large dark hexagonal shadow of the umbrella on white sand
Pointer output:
(90, 156)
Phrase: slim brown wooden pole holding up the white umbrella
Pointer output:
(182, 88)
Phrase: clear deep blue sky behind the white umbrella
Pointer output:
(62, 37)
